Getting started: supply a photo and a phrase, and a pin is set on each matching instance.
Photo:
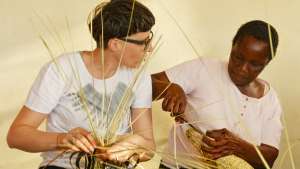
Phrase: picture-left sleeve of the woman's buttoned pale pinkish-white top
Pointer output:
(185, 74)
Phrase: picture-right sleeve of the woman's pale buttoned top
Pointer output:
(272, 128)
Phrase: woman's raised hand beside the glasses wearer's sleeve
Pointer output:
(174, 100)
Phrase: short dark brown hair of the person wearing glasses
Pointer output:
(116, 17)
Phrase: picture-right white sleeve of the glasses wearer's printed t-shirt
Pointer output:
(143, 92)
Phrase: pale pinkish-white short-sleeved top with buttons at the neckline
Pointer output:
(214, 102)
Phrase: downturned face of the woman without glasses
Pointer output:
(248, 58)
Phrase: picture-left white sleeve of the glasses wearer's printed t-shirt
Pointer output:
(46, 90)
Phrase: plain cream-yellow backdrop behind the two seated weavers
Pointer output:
(209, 24)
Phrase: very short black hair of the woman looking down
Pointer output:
(259, 30)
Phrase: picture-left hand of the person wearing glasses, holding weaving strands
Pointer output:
(77, 139)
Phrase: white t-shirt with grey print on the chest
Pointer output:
(62, 84)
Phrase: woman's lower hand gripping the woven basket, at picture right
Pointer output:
(220, 143)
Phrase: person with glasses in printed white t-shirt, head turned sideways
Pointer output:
(95, 82)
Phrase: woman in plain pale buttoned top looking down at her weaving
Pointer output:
(230, 108)
